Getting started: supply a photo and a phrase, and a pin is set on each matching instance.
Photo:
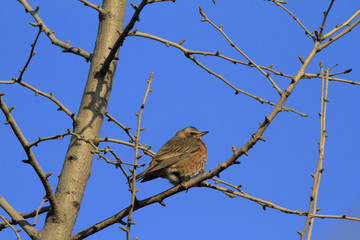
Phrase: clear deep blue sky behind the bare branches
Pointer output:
(185, 95)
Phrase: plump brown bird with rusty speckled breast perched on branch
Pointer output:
(182, 158)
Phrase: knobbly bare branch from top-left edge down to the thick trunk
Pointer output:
(66, 46)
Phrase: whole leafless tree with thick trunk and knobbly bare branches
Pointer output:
(64, 199)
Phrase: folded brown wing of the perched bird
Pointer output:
(174, 151)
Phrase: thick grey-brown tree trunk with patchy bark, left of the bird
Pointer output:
(77, 164)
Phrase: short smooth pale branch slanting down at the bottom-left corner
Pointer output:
(30, 230)
